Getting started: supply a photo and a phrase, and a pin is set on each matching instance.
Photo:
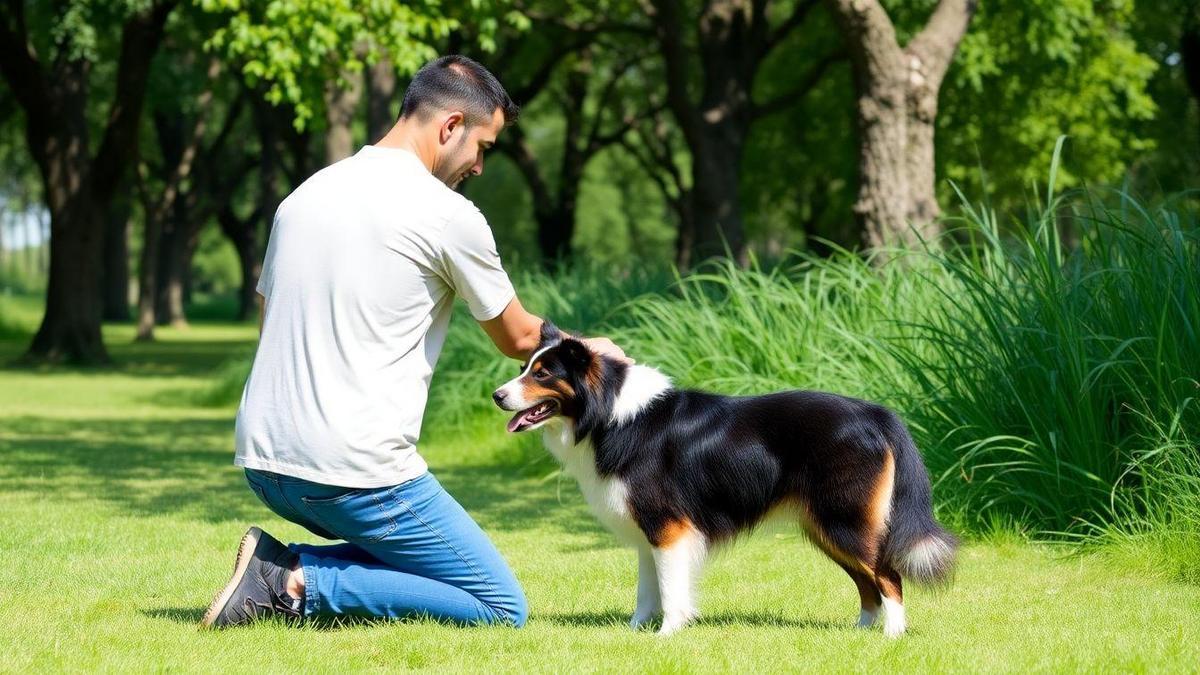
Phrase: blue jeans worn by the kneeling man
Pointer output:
(411, 551)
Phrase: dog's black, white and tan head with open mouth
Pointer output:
(562, 379)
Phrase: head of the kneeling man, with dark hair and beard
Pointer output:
(460, 107)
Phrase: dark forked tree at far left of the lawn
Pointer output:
(49, 74)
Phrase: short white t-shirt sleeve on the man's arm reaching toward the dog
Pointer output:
(473, 267)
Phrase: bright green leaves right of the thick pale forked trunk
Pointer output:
(1029, 73)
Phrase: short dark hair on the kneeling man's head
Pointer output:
(458, 83)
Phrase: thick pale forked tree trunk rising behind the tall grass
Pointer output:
(897, 110)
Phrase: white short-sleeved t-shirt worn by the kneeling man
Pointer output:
(364, 262)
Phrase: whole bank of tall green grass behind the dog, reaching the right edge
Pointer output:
(1051, 380)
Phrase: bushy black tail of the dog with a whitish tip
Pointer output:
(916, 546)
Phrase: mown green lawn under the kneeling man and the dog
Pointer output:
(121, 511)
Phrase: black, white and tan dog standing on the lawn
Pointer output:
(676, 473)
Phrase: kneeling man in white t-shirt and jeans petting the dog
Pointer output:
(364, 264)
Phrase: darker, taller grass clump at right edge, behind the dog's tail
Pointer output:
(1058, 381)
